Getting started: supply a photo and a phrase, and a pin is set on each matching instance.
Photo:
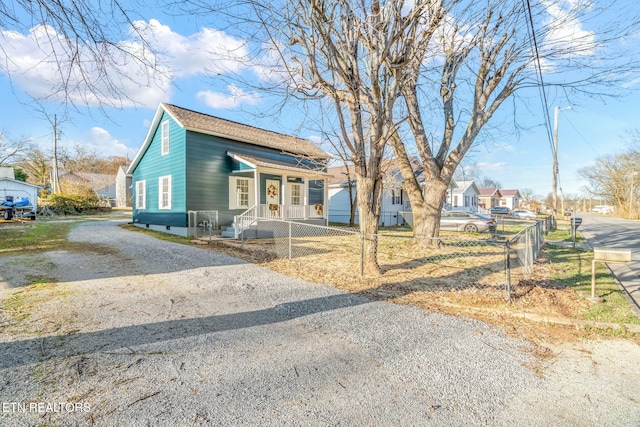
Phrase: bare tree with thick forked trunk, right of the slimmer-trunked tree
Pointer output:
(483, 56)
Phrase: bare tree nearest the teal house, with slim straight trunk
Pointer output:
(342, 52)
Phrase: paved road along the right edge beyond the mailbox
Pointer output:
(617, 233)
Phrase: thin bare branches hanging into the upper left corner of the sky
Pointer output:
(87, 43)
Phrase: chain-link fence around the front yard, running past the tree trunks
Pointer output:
(483, 263)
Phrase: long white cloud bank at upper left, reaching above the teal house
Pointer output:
(37, 64)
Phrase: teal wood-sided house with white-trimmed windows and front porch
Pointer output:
(191, 162)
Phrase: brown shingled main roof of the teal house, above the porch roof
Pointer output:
(204, 123)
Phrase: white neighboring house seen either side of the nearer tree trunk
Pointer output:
(394, 198)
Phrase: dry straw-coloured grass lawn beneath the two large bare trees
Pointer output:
(463, 277)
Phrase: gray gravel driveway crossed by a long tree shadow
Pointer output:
(146, 332)
